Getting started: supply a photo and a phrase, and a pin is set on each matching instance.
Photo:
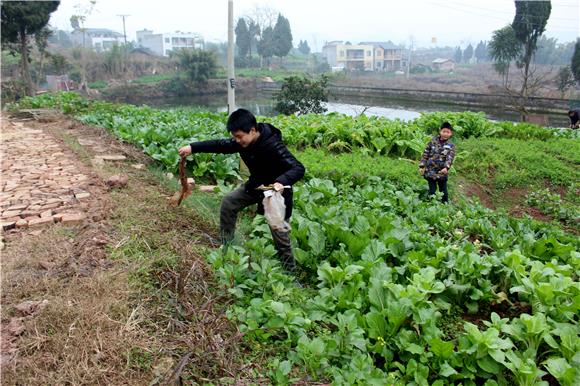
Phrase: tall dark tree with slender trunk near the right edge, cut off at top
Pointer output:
(529, 24)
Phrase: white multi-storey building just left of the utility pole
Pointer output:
(163, 43)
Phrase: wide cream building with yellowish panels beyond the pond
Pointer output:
(365, 56)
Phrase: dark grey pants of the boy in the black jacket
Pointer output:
(237, 200)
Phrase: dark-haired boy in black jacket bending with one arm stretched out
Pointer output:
(270, 163)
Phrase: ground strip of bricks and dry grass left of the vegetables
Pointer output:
(122, 295)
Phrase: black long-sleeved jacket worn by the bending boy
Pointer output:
(268, 160)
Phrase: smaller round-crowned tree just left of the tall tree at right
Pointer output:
(504, 47)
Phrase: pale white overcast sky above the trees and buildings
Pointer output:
(451, 22)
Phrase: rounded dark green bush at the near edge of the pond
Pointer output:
(302, 95)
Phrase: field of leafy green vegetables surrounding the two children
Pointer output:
(392, 288)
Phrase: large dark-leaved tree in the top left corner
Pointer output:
(20, 21)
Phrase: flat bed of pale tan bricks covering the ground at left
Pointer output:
(40, 184)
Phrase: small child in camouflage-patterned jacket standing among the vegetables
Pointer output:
(437, 160)
